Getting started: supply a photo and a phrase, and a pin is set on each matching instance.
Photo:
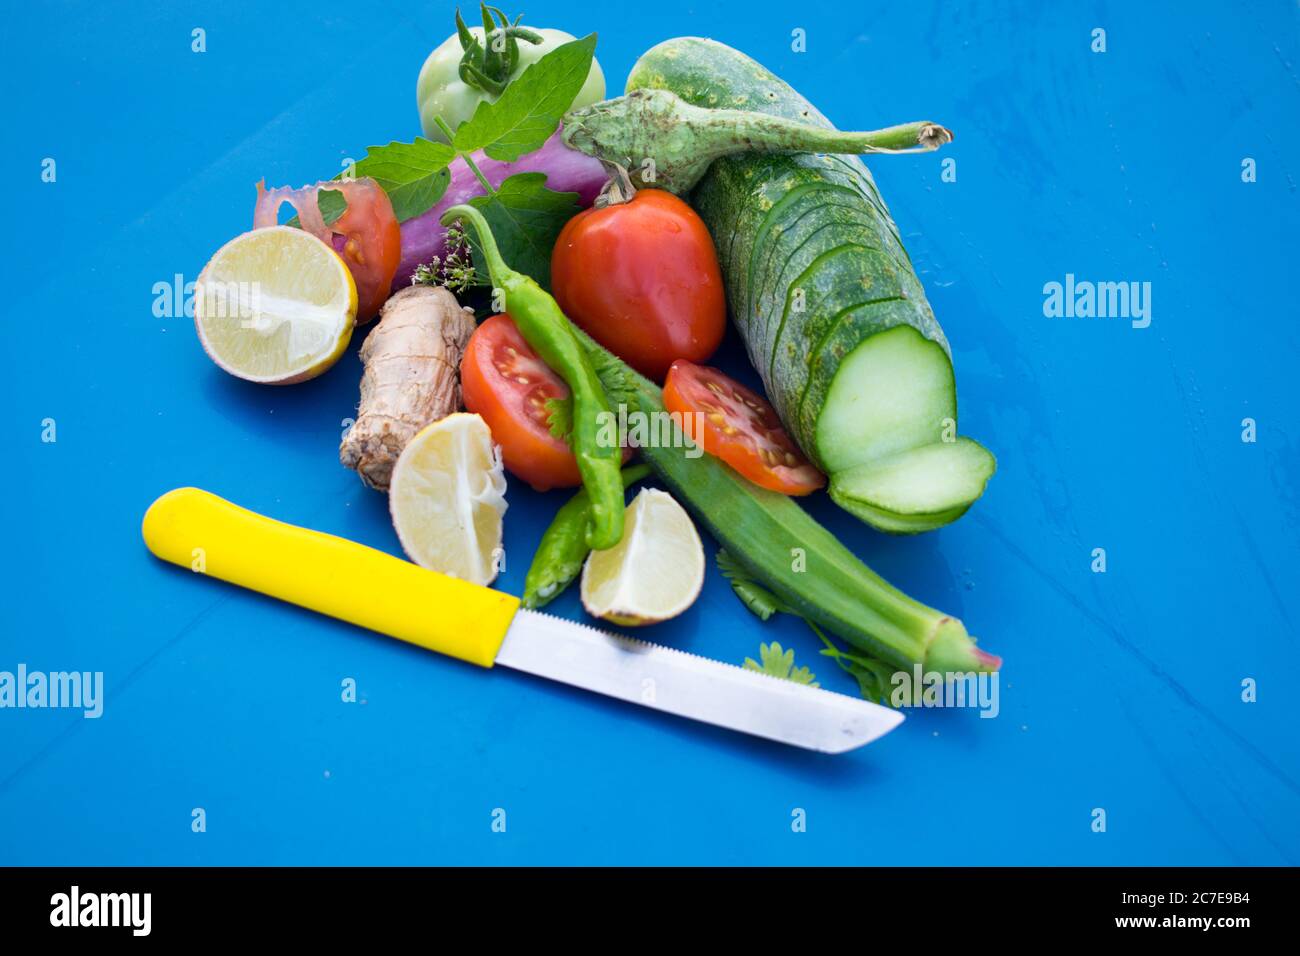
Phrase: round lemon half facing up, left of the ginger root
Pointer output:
(275, 306)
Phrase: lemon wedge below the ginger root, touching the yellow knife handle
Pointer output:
(448, 499)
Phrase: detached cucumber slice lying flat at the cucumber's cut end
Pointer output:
(917, 490)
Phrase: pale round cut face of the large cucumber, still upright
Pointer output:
(890, 395)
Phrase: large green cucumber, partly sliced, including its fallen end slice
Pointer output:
(829, 305)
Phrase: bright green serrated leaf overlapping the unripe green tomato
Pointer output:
(531, 109)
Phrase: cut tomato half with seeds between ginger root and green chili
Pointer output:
(505, 382)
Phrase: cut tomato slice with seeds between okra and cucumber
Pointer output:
(740, 429)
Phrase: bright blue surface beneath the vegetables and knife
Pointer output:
(1121, 690)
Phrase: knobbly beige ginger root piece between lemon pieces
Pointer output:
(413, 378)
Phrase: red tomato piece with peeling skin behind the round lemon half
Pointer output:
(367, 236)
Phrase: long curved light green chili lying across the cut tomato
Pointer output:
(545, 328)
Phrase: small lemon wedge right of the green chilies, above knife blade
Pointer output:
(655, 573)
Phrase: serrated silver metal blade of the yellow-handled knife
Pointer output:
(690, 686)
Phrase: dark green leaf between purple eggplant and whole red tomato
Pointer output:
(526, 219)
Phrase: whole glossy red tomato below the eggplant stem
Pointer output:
(643, 280)
